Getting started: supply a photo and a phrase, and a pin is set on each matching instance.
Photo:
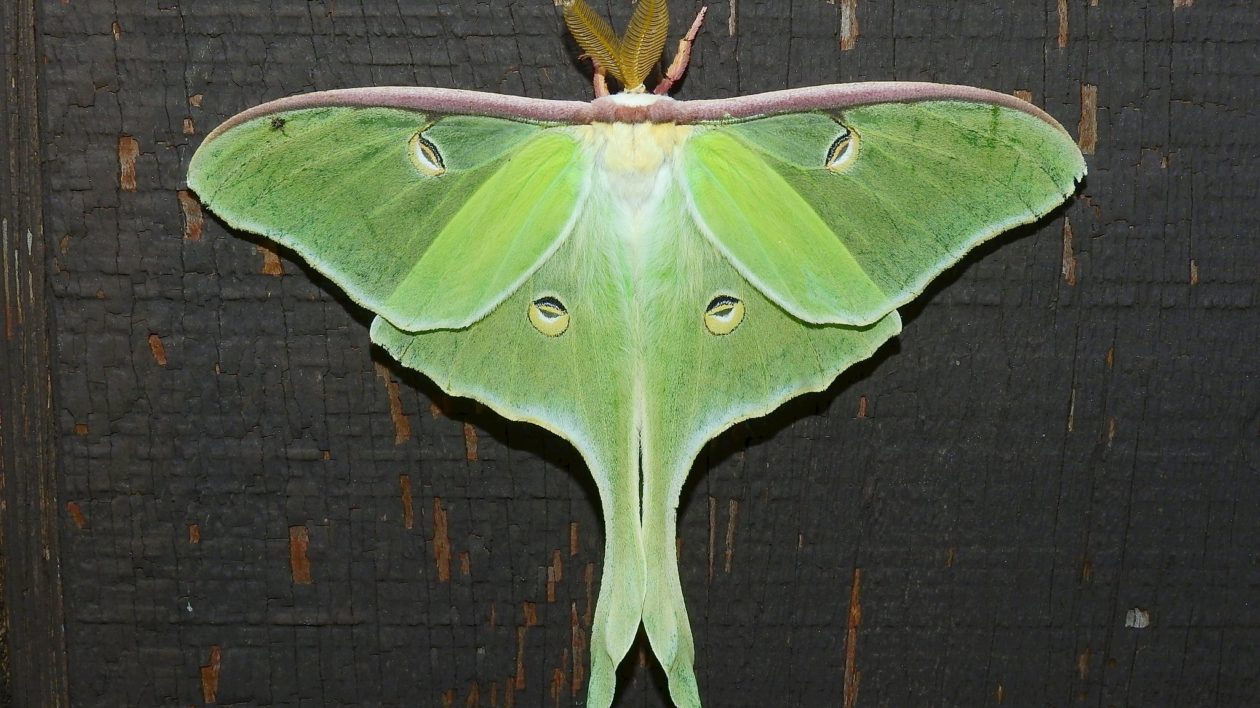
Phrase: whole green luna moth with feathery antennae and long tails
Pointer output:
(636, 274)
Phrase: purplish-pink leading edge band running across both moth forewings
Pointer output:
(663, 110)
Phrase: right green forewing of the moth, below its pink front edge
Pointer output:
(854, 212)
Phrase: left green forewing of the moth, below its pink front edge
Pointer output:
(427, 220)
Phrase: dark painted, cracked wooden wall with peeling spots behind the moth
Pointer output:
(1046, 492)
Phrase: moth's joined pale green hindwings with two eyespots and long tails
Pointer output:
(642, 374)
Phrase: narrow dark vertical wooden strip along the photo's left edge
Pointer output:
(31, 508)
